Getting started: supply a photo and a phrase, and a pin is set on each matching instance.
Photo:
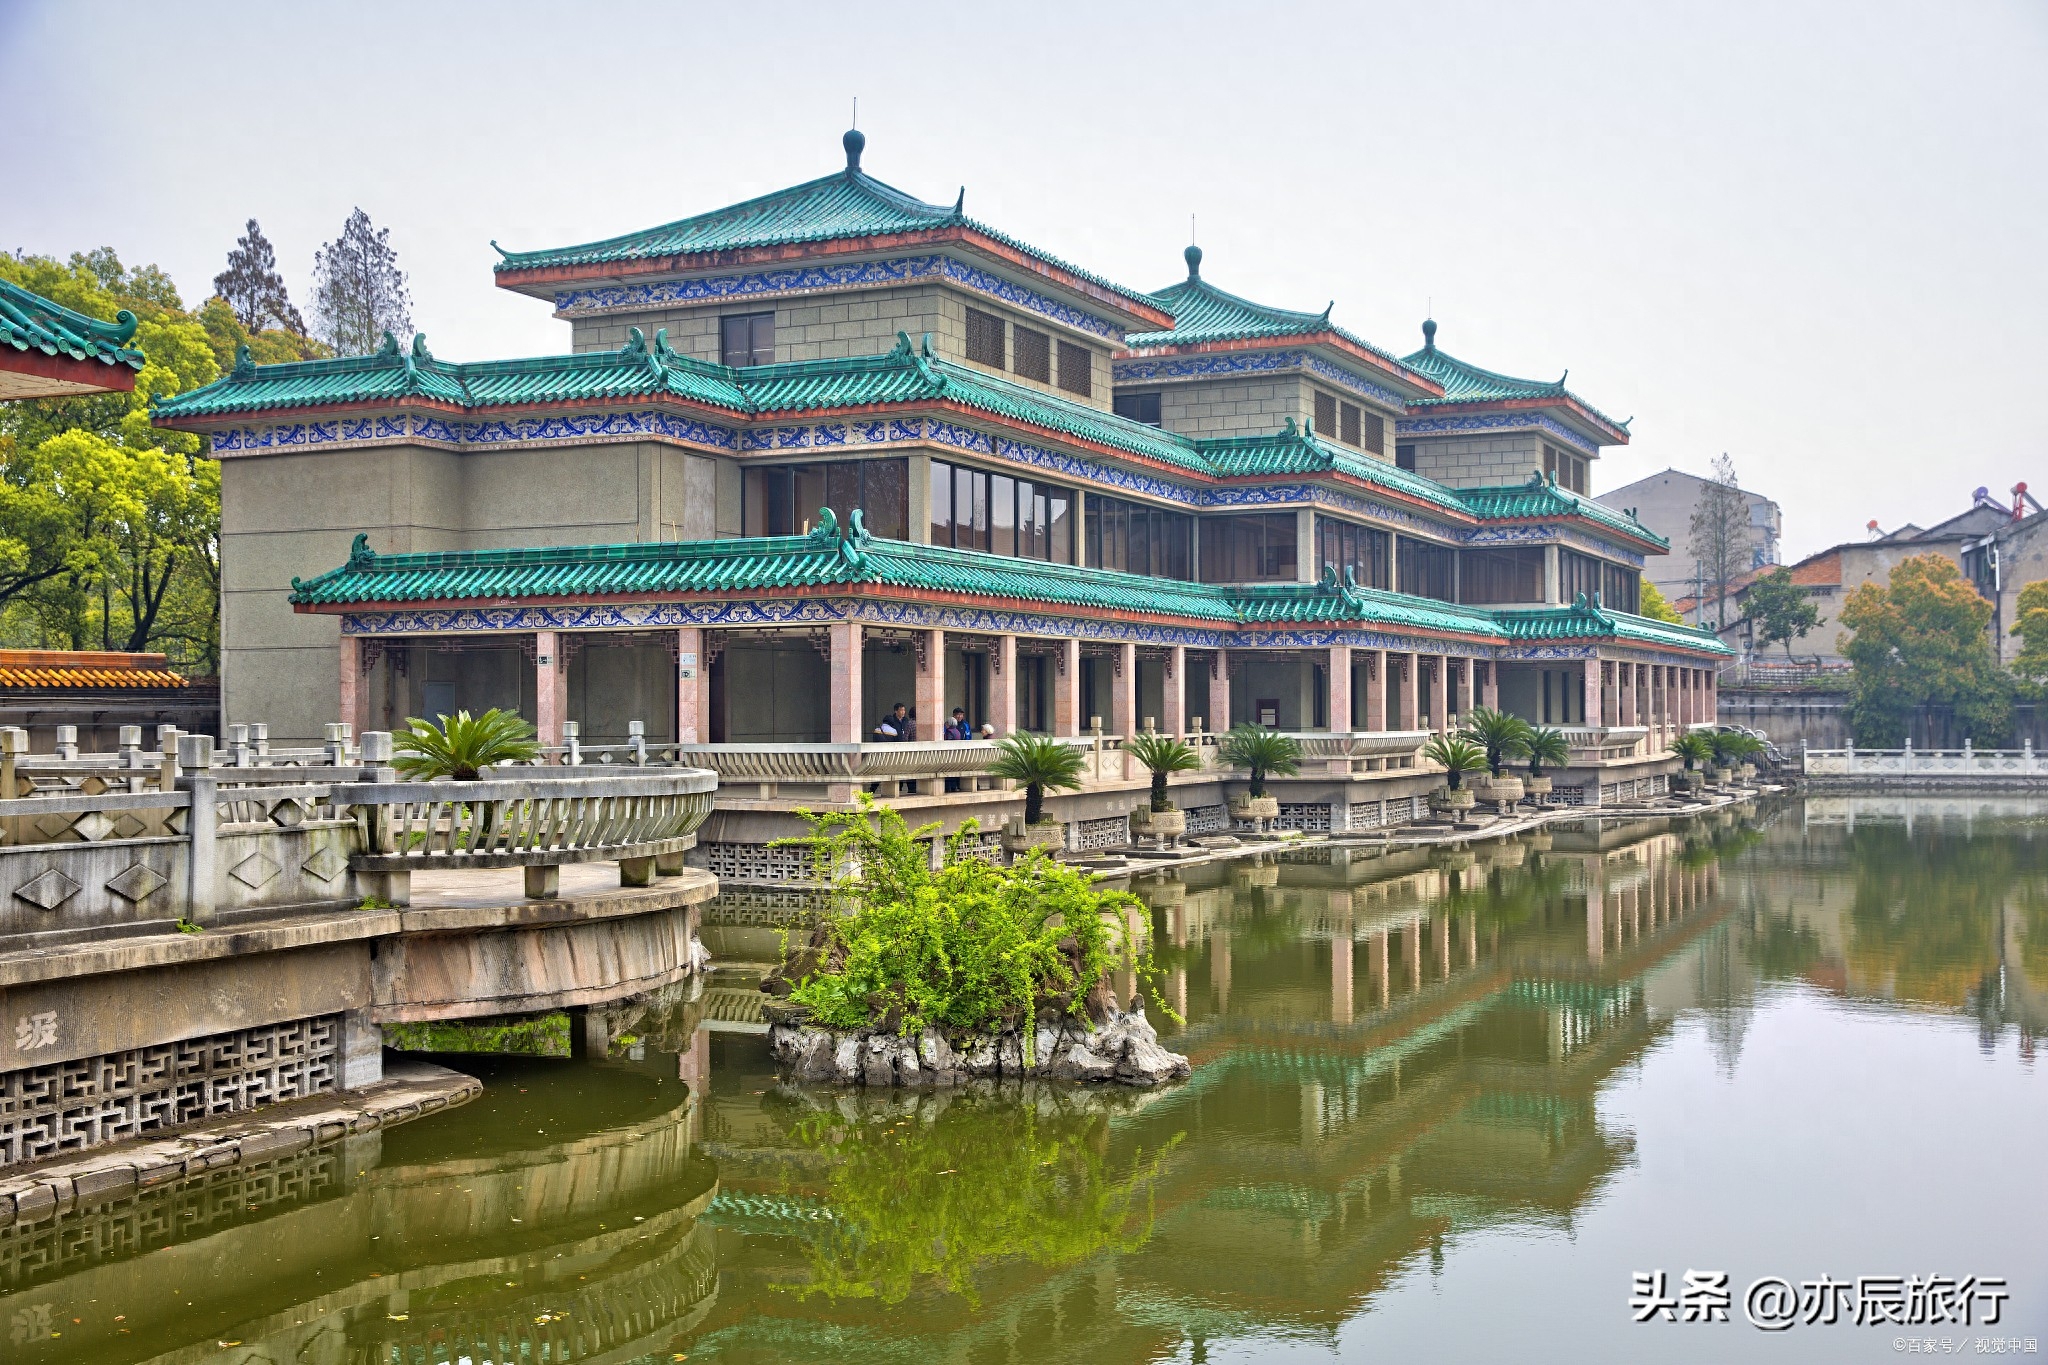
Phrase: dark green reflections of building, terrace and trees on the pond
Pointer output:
(1392, 1051)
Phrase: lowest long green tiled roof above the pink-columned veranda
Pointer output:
(828, 560)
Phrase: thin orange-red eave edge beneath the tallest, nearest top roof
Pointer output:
(542, 281)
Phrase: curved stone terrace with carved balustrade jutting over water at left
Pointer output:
(191, 936)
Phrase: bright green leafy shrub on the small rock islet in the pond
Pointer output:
(968, 949)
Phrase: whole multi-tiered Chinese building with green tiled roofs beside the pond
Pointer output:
(837, 449)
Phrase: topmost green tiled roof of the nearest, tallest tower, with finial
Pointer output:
(849, 204)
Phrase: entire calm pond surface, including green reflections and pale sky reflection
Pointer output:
(1443, 1108)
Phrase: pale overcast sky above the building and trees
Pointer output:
(1803, 234)
